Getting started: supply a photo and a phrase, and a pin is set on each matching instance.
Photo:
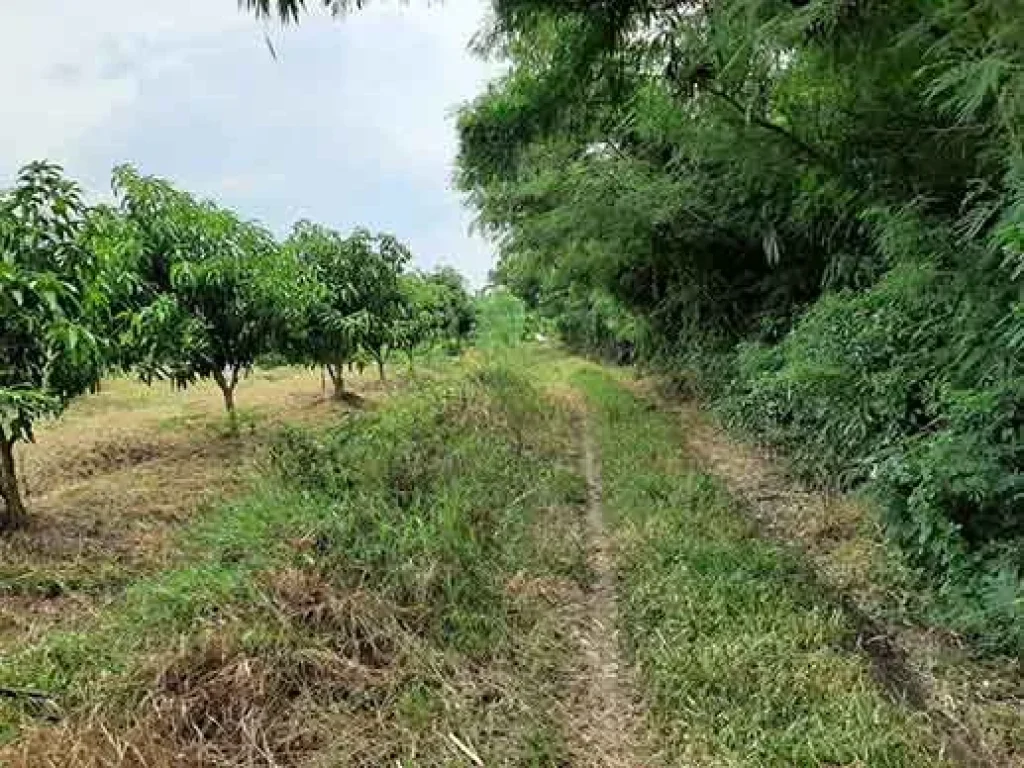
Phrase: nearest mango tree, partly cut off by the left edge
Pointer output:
(50, 352)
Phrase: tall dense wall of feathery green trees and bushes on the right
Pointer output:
(813, 214)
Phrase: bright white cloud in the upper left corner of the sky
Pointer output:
(66, 66)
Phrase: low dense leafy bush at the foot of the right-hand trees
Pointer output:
(875, 389)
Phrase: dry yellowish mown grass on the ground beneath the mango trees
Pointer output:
(111, 482)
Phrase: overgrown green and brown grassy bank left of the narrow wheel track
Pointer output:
(380, 600)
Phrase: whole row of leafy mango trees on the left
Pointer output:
(174, 288)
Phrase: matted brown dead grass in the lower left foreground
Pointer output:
(220, 702)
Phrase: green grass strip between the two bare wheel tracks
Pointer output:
(745, 660)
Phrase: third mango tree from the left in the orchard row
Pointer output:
(329, 317)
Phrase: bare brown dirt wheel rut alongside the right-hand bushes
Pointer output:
(978, 706)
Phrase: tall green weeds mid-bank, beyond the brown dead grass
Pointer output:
(432, 497)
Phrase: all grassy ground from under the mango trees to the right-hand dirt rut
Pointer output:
(517, 559)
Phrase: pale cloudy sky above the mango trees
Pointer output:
(352, 125)
